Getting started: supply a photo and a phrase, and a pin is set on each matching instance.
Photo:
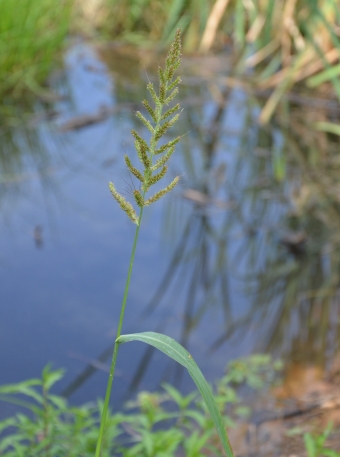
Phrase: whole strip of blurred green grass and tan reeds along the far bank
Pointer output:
(284, 41)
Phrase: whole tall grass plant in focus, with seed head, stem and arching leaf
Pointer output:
(154, 158)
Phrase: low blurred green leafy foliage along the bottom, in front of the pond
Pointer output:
(163, 423)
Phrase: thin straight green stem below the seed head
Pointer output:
(116, 346)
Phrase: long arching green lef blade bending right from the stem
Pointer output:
(171, 348)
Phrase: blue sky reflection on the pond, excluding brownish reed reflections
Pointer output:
(65, 244)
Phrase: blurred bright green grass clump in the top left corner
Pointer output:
(32, 34)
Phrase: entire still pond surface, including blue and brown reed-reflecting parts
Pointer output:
(243, 256)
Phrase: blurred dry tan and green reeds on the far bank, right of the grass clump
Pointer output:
(284, 41)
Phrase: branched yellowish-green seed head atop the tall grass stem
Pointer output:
(154, 157)
